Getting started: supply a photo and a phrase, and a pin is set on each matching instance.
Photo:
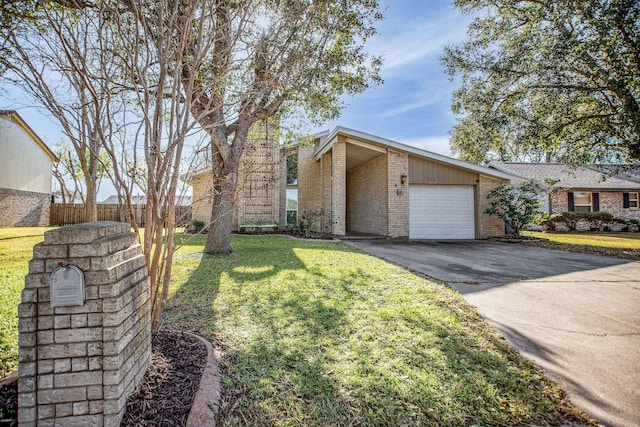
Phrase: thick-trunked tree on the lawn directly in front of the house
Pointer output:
(274, 58)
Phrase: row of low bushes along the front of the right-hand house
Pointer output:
(587, 221)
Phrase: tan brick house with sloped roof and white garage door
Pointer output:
(353, 182)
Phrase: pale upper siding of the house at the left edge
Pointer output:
(24, 165)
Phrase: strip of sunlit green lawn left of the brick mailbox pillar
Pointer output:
(16, 249)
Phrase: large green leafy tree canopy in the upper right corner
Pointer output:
(548, 80)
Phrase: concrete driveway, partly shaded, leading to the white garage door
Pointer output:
(576, 316)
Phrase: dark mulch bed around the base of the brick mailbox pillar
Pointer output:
(165, 394)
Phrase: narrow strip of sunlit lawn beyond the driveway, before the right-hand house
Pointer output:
(621, 245)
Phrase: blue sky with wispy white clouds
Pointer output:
(412, 106)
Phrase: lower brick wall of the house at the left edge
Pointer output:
(23, 208)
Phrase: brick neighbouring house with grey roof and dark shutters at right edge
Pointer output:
(588, 189)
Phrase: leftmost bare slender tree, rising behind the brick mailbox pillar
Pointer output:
(63, 66)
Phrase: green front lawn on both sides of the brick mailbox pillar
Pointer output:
(318, 333)
